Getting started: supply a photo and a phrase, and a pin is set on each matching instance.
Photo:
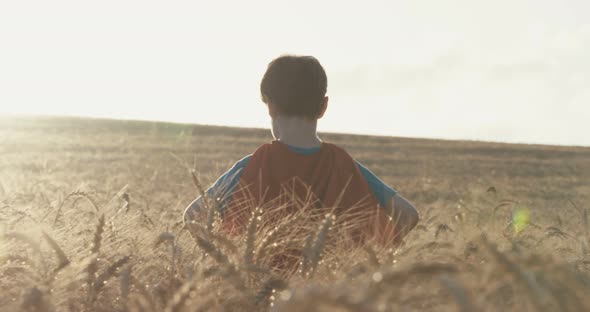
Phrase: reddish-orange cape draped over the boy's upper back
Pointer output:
(329, 178)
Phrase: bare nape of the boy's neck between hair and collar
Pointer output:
(296, 131)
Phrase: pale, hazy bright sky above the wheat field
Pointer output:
(504, 70)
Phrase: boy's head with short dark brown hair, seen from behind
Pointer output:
(295, 85)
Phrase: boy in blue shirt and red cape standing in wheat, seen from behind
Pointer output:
(294, 90)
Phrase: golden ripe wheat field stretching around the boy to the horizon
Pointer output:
(91, 210)
